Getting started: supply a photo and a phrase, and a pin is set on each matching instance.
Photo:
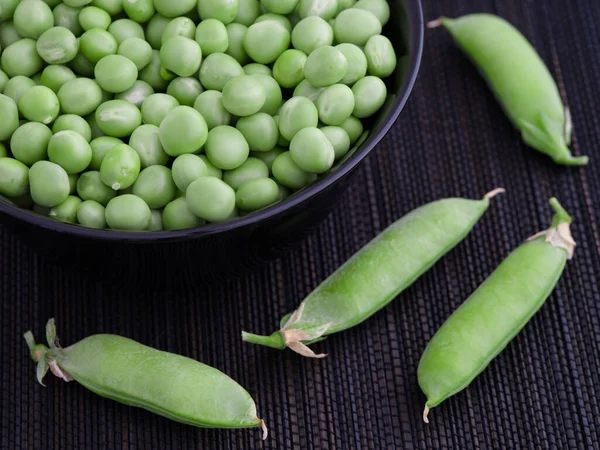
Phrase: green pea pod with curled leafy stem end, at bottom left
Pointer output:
(170, 385)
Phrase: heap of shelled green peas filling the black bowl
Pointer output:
(146, 115)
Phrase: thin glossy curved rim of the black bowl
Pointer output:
(414, 11)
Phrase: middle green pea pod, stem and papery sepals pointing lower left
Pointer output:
(375, 275)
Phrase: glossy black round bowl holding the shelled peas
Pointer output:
(222, 249)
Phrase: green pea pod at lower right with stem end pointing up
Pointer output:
(487, 321)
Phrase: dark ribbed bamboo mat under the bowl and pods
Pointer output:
(451, 140)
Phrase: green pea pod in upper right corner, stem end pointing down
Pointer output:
(520, 81)
